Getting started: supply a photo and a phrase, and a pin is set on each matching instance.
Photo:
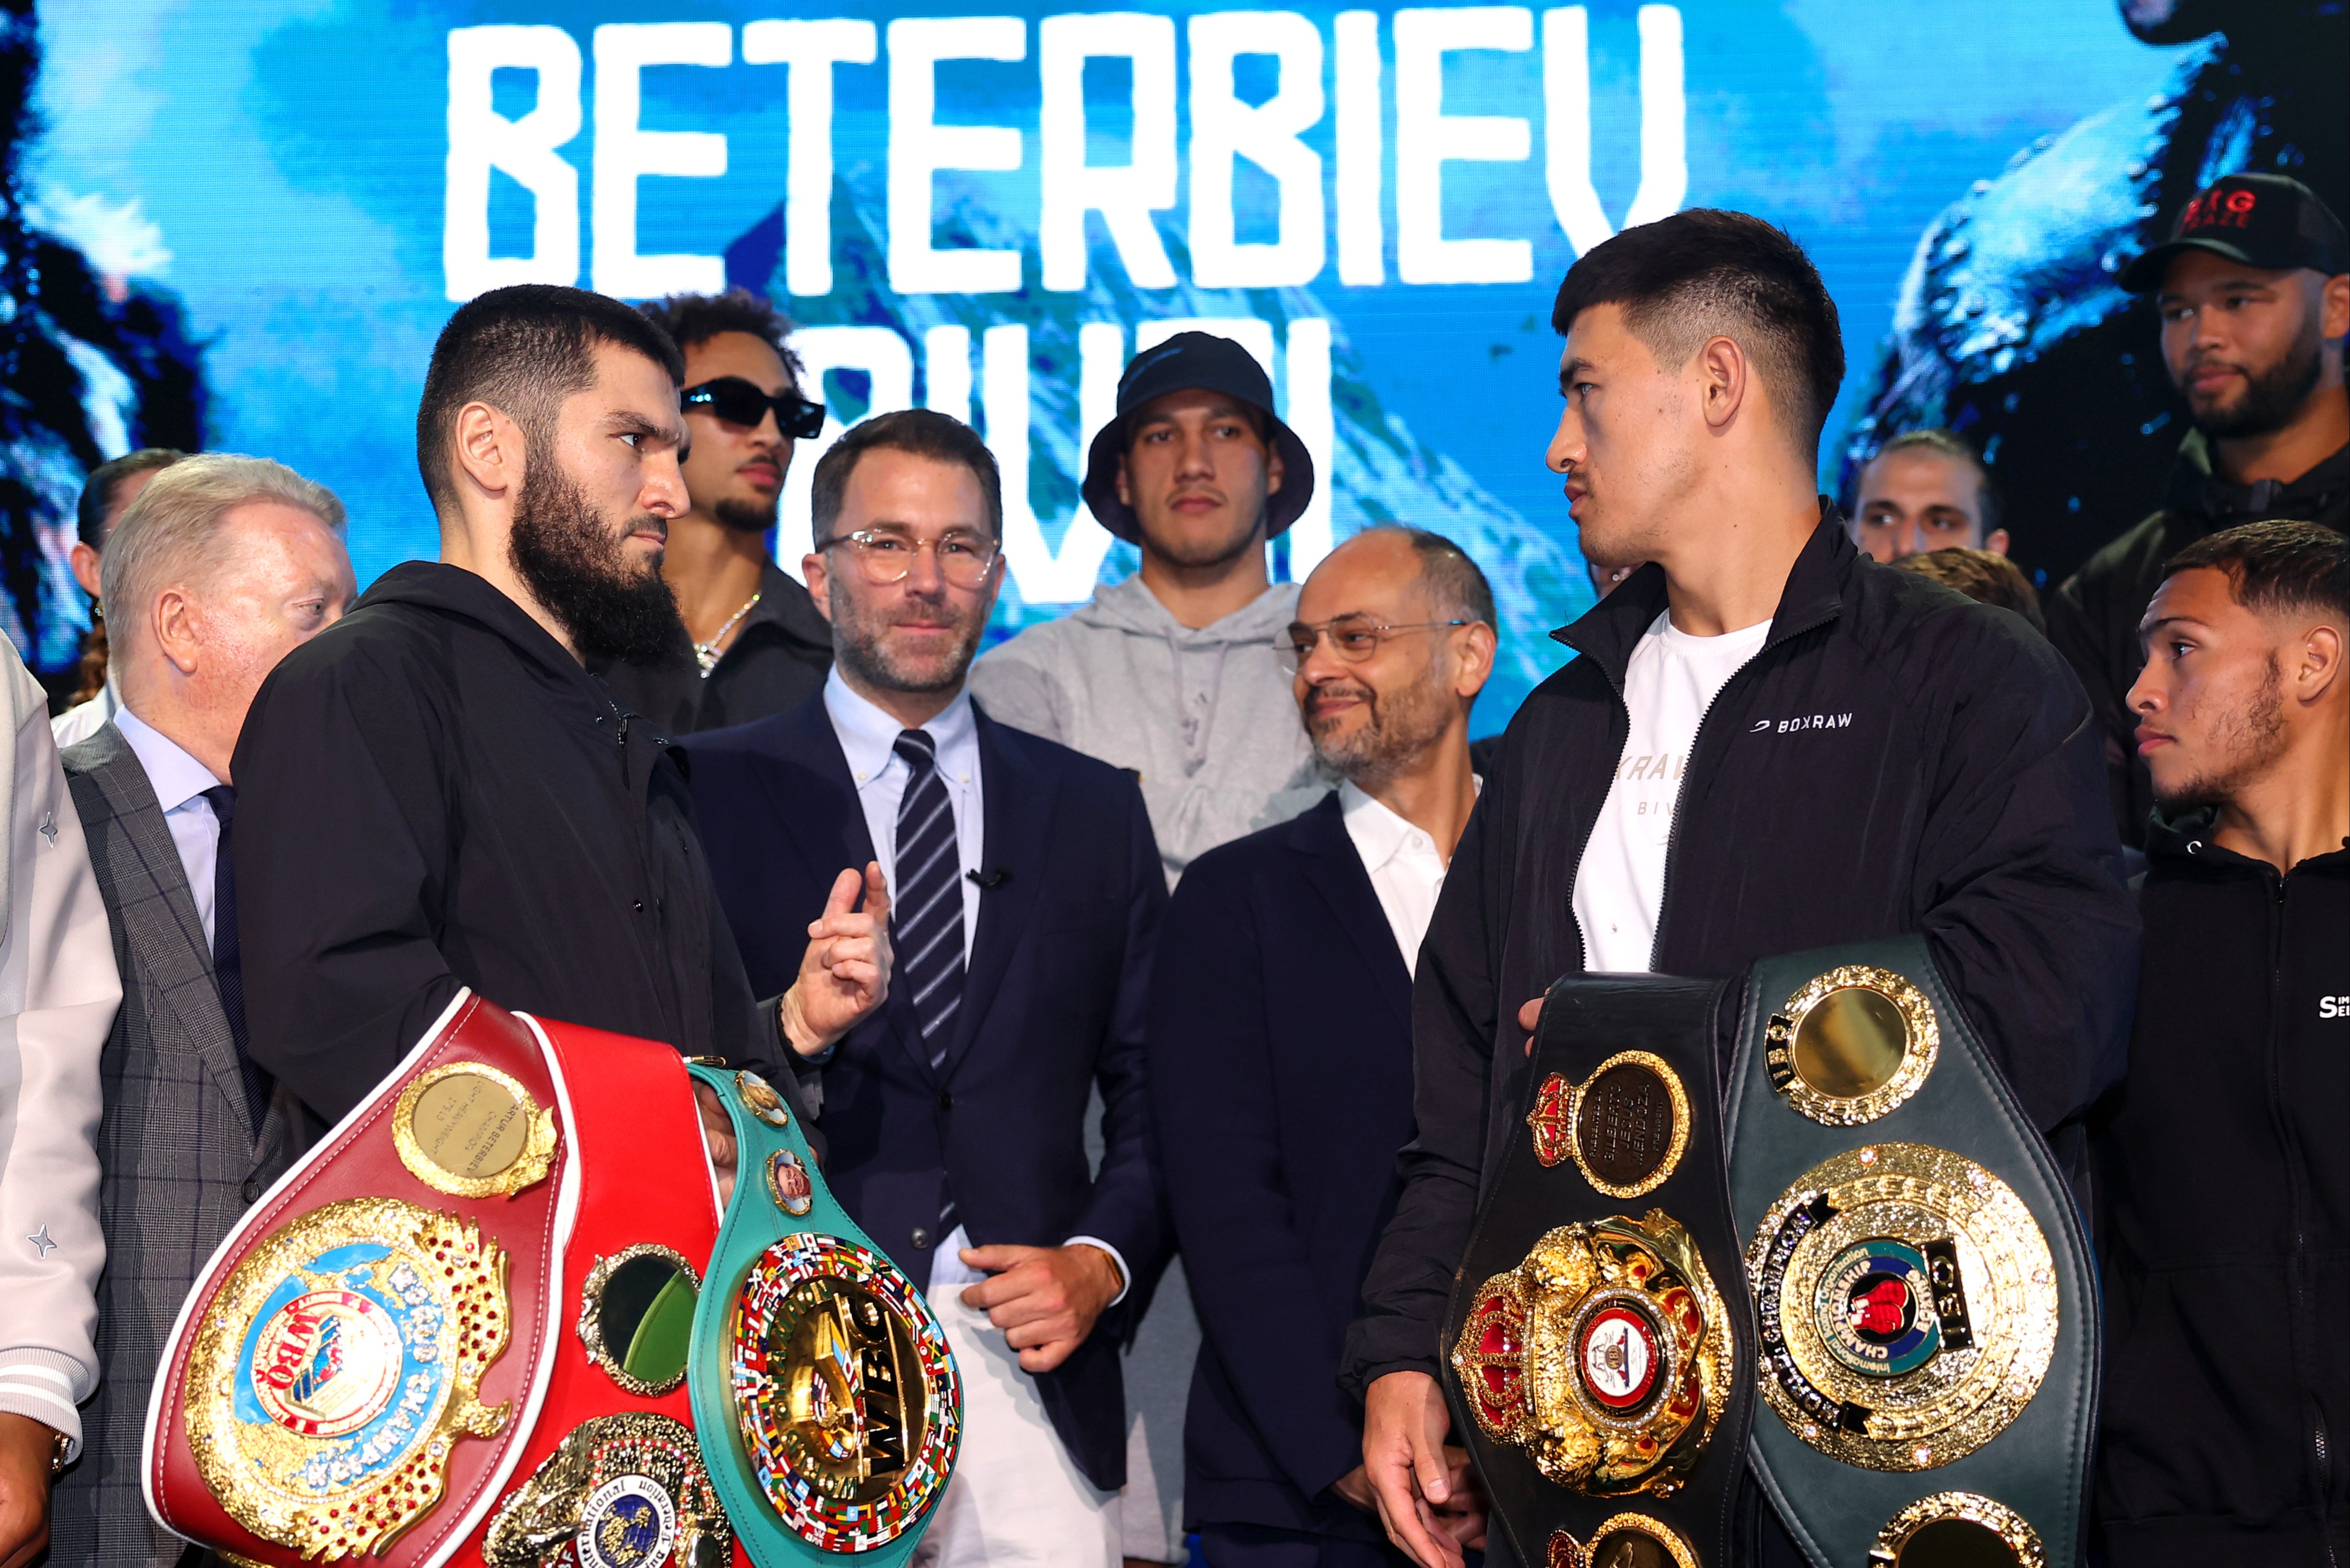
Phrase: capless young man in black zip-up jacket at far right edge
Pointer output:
(2227, 1153)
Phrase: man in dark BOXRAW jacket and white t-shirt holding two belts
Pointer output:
(1768, 744)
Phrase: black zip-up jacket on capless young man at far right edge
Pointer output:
(2224, 1179)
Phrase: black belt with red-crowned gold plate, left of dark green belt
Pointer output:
(1599, 1348)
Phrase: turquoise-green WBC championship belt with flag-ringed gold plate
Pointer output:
(824, 1391)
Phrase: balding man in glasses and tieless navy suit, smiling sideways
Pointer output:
(1282, 1052)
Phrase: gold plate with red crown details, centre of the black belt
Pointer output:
(1606, 1355)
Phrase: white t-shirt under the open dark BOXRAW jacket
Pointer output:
(1670, 685)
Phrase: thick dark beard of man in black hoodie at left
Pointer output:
(570, 558)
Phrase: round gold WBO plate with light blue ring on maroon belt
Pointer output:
(340, 1367)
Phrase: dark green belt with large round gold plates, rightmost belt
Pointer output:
(1923, 1285)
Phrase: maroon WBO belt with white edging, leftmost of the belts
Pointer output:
(363, 1358)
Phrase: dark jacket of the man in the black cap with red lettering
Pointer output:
(2095, 615)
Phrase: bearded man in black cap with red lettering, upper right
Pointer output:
(2255, 297)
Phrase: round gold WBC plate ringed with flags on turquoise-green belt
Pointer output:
(845, 1393)
